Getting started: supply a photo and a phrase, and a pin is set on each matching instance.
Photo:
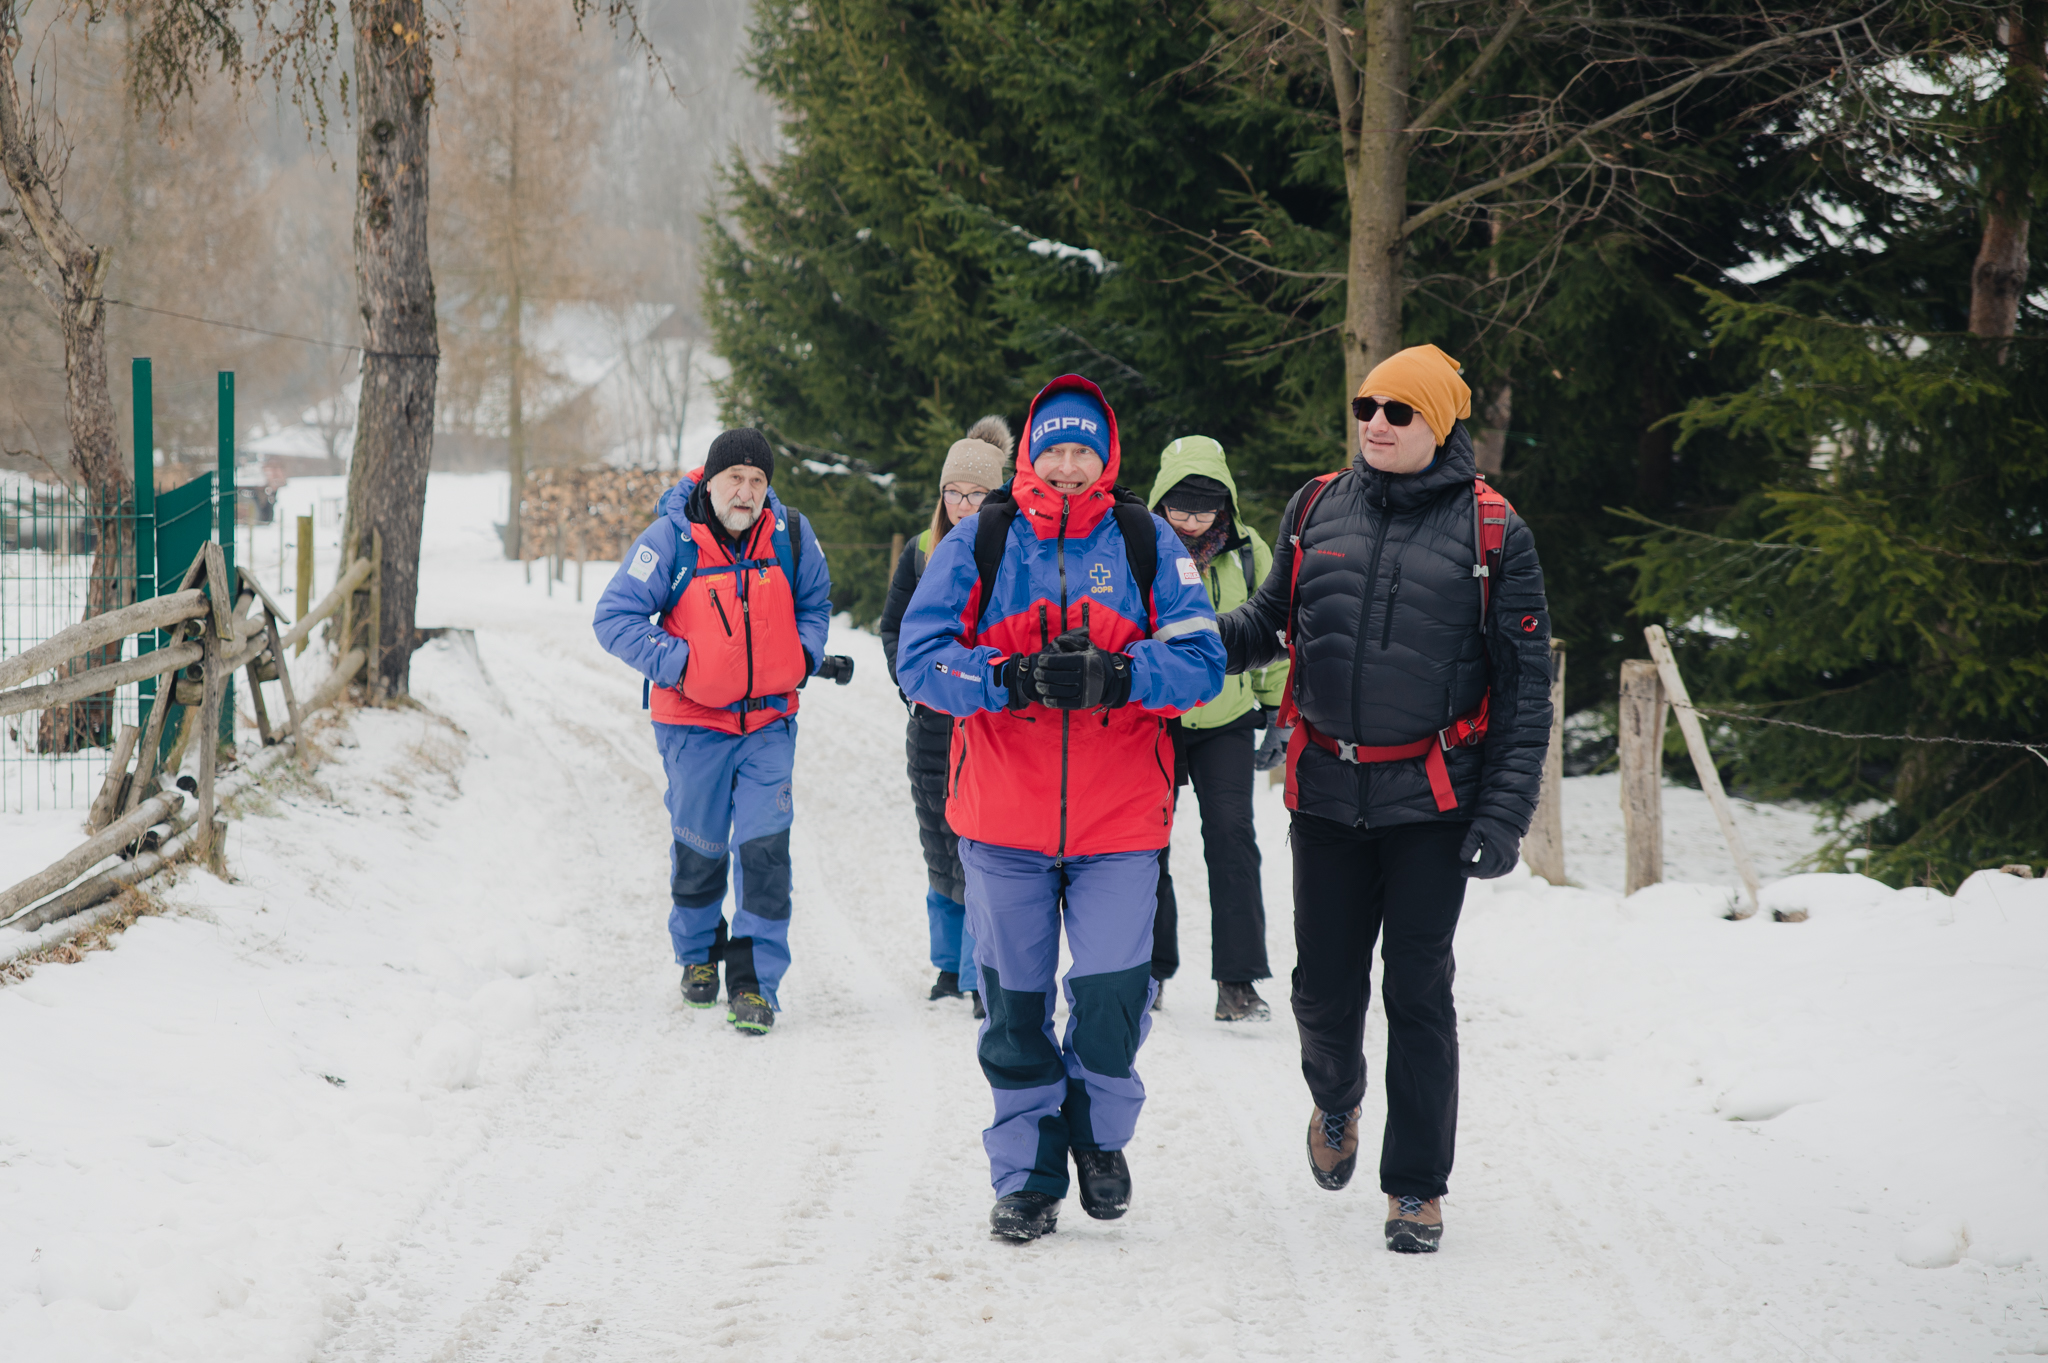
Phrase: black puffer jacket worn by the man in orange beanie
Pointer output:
(1392, 646)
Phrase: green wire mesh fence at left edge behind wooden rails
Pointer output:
(62, 558)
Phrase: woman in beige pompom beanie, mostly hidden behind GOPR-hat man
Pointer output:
(974, 470)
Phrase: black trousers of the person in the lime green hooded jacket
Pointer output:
(1220, 766)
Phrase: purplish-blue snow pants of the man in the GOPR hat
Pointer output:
(1078, 1092)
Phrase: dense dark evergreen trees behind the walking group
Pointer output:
(1734, 269)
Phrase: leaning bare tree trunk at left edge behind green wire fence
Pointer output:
(69, 273)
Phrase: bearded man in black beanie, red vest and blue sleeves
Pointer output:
(724, 605)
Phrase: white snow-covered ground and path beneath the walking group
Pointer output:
(419, 1086)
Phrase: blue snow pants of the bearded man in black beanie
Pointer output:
(730, 803)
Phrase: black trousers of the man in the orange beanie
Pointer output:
(1398, 885)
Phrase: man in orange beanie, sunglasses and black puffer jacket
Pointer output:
(1424, 701)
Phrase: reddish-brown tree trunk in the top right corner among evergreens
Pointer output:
(2000, 275)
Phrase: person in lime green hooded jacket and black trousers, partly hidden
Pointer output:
(1218, 742)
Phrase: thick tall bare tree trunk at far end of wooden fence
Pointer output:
(396, 292)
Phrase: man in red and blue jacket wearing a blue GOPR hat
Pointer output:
(1035, 623)
